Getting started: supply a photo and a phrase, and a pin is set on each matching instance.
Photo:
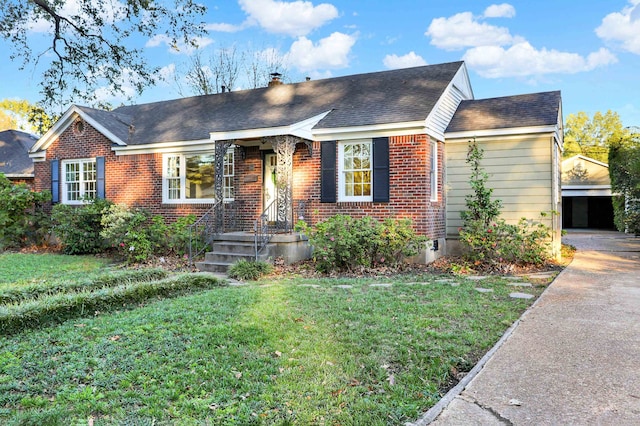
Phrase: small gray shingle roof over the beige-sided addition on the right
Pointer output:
(530, 110)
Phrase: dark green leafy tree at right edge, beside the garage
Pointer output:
(624, 169)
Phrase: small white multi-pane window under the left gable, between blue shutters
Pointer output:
(79, 180)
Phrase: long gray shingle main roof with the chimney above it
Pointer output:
(395, 96)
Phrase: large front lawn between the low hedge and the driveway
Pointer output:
(285, 351)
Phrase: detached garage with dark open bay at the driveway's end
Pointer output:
(586, 194)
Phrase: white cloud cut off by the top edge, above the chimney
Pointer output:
(297, 18)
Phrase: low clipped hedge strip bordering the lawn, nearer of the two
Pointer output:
(63, 306)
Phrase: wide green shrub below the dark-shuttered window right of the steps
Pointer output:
(344, 243)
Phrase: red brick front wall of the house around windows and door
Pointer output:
(136, 180)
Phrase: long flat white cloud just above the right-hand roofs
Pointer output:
(522, 59)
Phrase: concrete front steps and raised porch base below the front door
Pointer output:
(231, 247)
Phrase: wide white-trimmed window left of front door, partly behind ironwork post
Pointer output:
(190, 178)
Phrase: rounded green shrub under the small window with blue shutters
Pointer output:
(79, 227)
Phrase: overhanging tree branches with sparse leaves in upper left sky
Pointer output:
(92, 43)
